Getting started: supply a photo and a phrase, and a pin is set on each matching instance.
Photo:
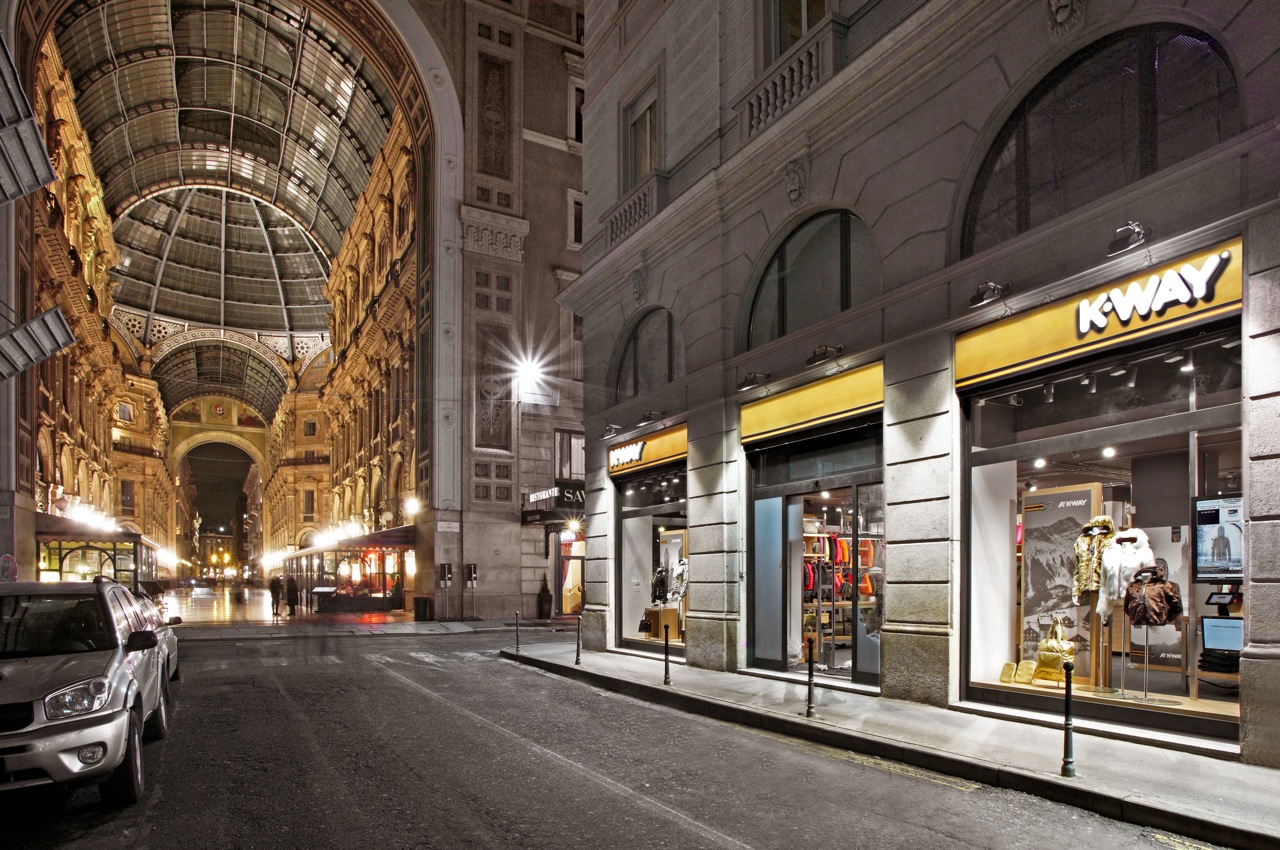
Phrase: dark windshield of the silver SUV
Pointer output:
(53, 625)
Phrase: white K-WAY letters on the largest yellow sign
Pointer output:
(1183, 286)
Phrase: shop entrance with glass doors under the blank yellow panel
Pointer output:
(817, 563)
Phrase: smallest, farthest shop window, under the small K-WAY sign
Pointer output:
(655, 556)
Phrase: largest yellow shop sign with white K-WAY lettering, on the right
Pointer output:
(1194, 289)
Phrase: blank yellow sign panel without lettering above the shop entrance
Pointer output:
(842, 396)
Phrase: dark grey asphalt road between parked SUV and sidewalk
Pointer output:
(438, 743)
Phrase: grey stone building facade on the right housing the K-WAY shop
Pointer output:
(840, 267)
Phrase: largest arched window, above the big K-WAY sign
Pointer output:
(1114, 113)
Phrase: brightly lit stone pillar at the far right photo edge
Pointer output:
(1260, 662)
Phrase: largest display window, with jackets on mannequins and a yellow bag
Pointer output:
(1107, 528)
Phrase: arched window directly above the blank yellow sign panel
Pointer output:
(816, 273)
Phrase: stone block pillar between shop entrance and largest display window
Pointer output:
(920, 657)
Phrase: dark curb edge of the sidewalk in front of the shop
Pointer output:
(1058, 790)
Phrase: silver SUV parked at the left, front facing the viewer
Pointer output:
(81, 683)
